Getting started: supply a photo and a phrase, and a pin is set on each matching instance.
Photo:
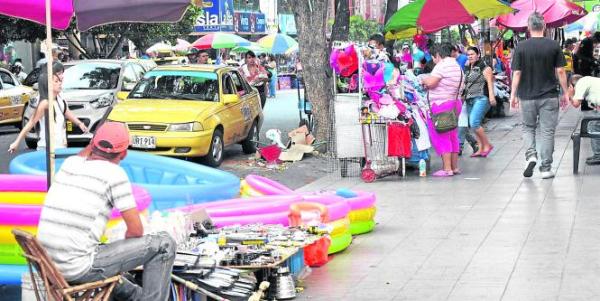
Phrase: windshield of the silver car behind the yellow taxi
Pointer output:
(92, 75)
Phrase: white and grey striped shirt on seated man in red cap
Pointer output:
(77, 208)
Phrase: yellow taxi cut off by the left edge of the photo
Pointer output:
(13, 98)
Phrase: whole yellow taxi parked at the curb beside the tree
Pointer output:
(191, 111)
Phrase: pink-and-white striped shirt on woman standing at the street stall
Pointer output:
(449, 73)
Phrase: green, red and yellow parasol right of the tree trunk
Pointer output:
(433, 15)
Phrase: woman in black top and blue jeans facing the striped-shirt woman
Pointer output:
(479, 96)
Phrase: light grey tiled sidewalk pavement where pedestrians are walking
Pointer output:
(488, 234)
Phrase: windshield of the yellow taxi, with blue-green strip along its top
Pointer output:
(179, 85)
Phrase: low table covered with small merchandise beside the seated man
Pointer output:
(232, 261)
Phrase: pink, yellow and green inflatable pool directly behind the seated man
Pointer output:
(21, 202)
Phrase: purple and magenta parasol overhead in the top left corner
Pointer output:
(93, 13)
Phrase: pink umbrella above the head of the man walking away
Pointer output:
(557, 13)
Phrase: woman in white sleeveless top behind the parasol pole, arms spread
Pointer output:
(61, 113)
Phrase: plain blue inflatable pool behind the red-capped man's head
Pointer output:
(171, 182)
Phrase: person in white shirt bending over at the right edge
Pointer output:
(586, 89)
